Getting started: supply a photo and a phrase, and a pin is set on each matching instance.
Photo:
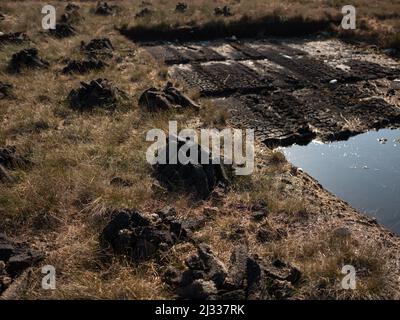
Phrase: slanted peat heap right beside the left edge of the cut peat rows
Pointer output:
(154, 100)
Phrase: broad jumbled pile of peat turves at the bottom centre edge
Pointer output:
(248, 277)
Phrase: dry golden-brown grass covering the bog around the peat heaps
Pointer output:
(59, 204)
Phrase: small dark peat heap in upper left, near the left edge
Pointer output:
(26, 59)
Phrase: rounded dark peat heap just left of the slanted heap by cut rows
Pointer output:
(99, 92)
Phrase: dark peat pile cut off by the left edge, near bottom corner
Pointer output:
(14, 259)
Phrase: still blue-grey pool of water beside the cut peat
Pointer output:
(364, 171)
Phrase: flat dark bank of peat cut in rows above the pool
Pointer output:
(290, 91)
